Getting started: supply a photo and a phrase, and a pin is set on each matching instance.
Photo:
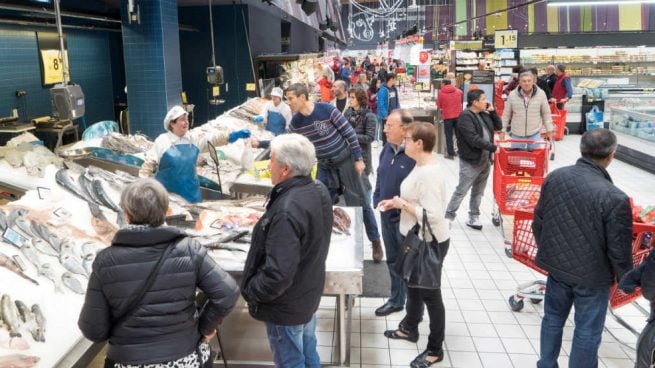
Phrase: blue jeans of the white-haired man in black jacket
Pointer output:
(294, 346)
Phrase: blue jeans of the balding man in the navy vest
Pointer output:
(393, 240)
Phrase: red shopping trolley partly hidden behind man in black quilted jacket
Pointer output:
(524, 250)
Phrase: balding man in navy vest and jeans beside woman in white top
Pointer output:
(394, 167)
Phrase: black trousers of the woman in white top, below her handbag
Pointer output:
(431, 298)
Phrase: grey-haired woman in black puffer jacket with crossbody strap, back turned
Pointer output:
(165, 326)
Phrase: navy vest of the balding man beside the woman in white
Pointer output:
(393, 168)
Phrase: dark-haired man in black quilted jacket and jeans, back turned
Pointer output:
(583, 229)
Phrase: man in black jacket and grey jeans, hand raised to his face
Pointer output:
(475, 135)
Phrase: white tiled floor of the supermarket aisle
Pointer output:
(481, 330)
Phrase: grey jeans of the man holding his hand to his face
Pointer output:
(472, 177)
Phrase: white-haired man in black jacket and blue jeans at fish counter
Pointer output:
(284, 274)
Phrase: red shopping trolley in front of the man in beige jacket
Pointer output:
(519, 170)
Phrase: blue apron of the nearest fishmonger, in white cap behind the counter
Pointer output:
(177, 171)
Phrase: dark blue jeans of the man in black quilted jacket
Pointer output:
(590, 310)
